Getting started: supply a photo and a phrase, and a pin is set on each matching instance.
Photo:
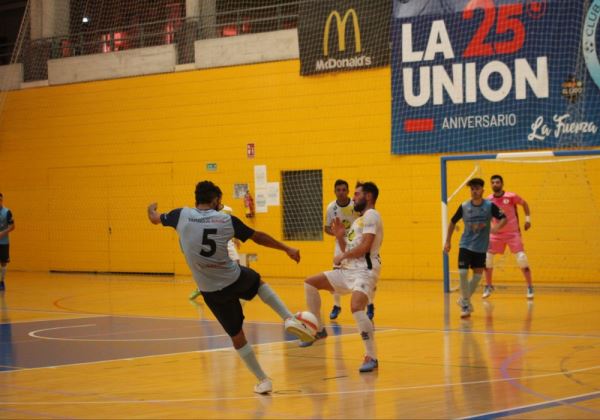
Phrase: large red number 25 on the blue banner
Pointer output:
(508, 21)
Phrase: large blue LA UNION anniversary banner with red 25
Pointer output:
(493, 75)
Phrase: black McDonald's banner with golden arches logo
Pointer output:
(343, 35)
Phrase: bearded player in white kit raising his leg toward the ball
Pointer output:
(359, 272)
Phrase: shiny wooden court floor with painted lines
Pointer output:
(85, 346)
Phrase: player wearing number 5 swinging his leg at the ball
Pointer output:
(203, 234)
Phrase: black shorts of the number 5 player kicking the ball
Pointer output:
(225, 304)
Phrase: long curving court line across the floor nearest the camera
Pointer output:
(310, 394)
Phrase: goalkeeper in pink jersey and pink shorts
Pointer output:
(509, 235)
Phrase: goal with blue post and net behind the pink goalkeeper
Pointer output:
(563, 193)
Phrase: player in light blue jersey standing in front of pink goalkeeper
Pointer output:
(477, 215)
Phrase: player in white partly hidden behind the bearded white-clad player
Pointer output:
(342, 208)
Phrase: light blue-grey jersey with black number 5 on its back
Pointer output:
(203, 235)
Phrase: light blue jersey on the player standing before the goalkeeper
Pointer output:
(477, 219)
